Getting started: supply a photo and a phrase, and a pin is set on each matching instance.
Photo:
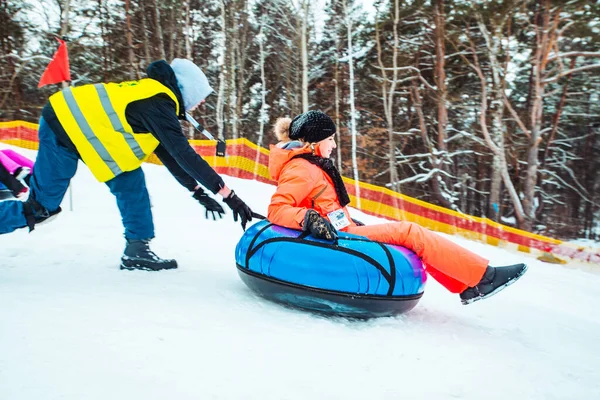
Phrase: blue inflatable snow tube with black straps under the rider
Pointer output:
(353, 277)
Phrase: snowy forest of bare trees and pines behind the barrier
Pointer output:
(487, 107)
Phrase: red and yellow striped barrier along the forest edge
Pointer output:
(246, 160)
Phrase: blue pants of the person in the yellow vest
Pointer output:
(54, 167)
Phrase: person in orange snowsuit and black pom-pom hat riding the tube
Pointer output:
(311, 196)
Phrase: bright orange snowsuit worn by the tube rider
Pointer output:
(302, 186)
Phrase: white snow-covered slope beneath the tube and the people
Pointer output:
(74, 326)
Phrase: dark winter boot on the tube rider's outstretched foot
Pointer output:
(494, 280)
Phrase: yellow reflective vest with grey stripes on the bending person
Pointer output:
(94, 118)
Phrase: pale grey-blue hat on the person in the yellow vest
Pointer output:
(191, 81)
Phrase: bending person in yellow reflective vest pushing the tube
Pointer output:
(113, 128)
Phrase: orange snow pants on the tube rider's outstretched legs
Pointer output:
(455, 267)
